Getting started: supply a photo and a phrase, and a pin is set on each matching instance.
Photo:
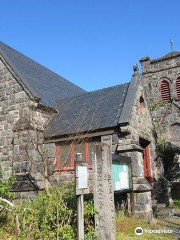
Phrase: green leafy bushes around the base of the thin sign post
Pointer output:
(54, 216)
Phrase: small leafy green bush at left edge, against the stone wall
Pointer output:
(5, 186)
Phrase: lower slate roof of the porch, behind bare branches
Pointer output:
(88, 112)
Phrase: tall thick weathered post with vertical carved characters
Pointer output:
(103, 190)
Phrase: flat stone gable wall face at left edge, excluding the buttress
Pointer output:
(13, 101)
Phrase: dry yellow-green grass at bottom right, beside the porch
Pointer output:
(125, 228)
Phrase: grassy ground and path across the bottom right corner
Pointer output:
(126, 226)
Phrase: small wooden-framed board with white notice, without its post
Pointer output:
(82, 176)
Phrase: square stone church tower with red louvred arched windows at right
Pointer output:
(161, 82)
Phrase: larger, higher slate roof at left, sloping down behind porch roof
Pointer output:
(40, 81)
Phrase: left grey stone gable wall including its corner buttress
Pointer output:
(19, 117)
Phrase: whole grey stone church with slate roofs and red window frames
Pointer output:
(45, 120)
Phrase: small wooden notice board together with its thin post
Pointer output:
(81, 188)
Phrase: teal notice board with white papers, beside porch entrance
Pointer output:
(121, 169)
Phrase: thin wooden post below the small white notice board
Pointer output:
(80, 216)
